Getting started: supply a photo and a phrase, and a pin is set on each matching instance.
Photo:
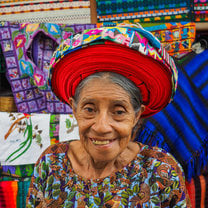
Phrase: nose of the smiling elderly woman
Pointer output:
(102, 123)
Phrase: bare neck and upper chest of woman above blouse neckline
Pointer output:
(85, 166)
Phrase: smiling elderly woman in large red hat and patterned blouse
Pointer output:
(112, 77)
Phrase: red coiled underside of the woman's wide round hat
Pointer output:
(152, 78)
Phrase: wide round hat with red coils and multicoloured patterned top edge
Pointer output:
(128, 50)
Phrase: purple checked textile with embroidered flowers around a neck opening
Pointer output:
(27, 49)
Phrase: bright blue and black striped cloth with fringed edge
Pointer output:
(182, 127)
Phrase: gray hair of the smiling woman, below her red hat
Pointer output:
(125, 83)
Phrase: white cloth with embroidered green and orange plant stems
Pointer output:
(23, 135)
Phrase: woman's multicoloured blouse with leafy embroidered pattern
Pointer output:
(152, 179)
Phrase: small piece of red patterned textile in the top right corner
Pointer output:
(201, 10)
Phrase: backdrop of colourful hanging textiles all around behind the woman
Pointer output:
(26, 47)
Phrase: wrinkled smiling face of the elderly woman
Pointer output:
(105, 118)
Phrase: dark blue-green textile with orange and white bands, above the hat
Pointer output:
(144, 10)
